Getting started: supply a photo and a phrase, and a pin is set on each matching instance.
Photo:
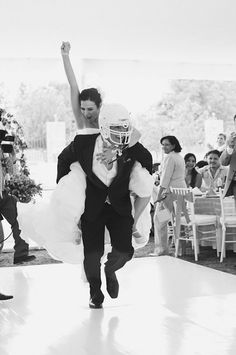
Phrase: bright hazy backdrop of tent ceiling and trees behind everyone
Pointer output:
(172, 63)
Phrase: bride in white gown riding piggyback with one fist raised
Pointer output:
(54, 224)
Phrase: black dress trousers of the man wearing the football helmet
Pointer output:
(120, 229)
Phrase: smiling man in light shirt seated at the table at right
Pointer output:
(214, 174)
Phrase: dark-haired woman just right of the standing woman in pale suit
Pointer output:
(192, 177)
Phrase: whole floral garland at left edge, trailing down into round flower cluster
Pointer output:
(19, 185)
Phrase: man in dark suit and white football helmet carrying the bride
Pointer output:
(107, 202)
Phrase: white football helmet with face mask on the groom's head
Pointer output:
(115, 125)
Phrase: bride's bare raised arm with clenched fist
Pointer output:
(74, 88)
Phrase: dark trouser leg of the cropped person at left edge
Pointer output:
(8, 210)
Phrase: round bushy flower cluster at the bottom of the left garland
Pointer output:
(23, 188)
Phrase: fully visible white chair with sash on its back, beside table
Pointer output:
(185, 216)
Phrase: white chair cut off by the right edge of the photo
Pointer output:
(227, 220)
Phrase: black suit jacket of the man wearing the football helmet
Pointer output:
(81, 150)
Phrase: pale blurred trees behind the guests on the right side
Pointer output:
(182, 112)
